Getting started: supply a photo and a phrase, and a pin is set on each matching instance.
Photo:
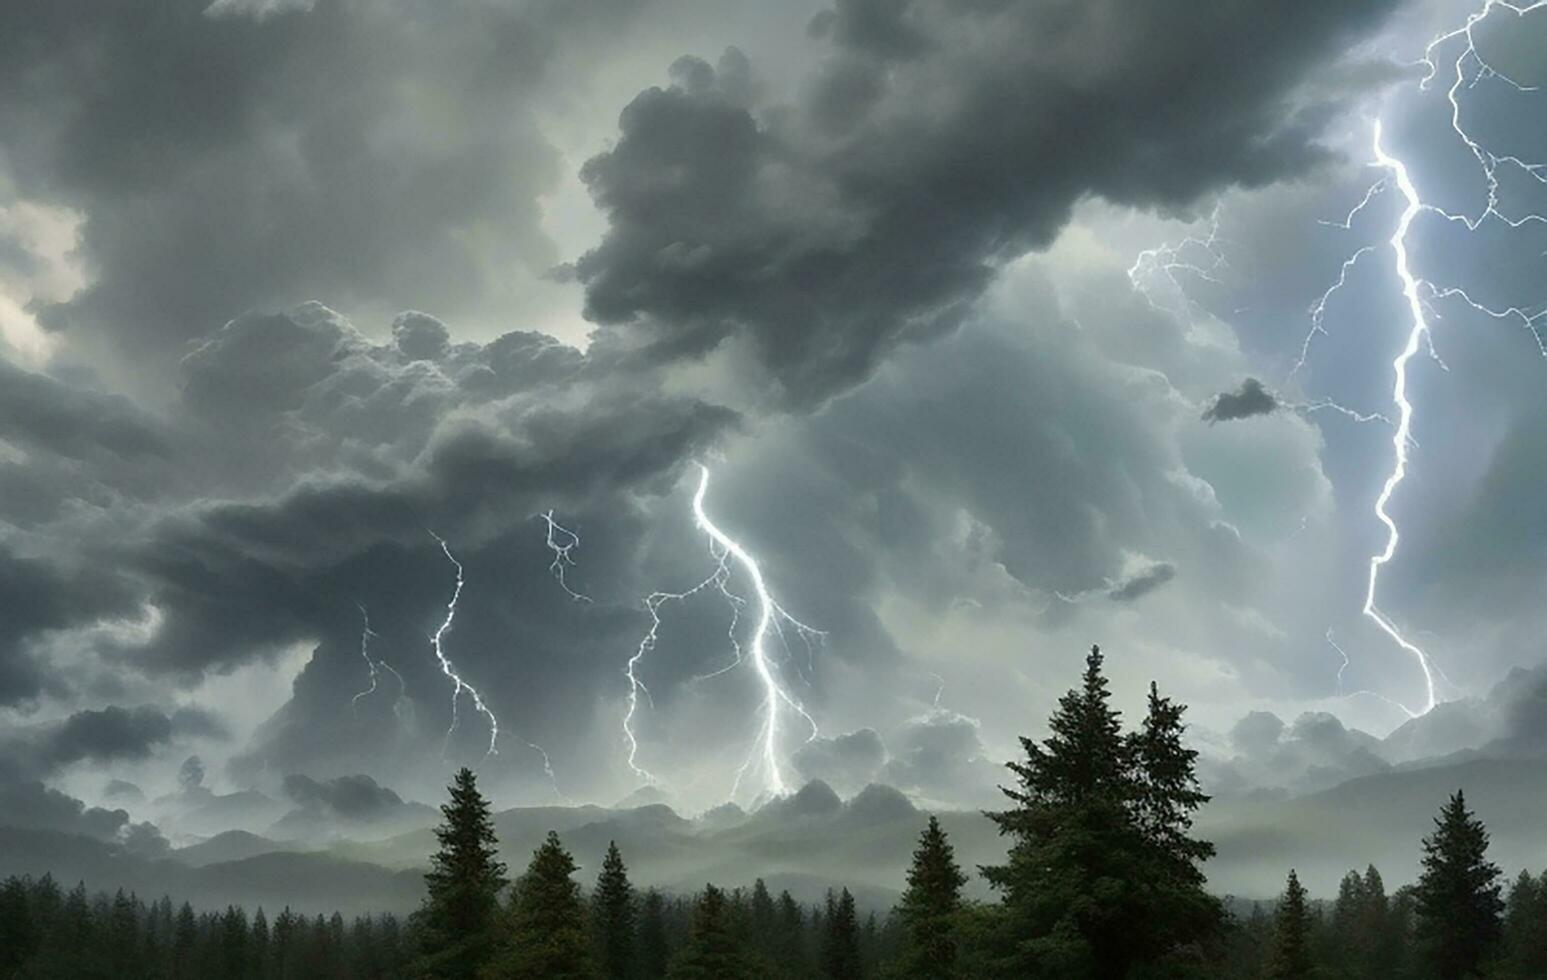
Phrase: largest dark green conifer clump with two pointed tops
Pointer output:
(1102, 874)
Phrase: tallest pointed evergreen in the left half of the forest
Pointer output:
(465, 882)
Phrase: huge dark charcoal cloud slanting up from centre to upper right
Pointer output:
(937, 142)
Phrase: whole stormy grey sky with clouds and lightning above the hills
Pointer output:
(989, 332)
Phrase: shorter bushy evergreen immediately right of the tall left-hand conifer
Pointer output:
(548, 922)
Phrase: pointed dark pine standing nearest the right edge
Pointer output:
(1458, 894)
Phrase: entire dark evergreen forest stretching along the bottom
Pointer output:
(1102, 880)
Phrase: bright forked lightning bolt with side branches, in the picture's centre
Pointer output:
(771, 622)
